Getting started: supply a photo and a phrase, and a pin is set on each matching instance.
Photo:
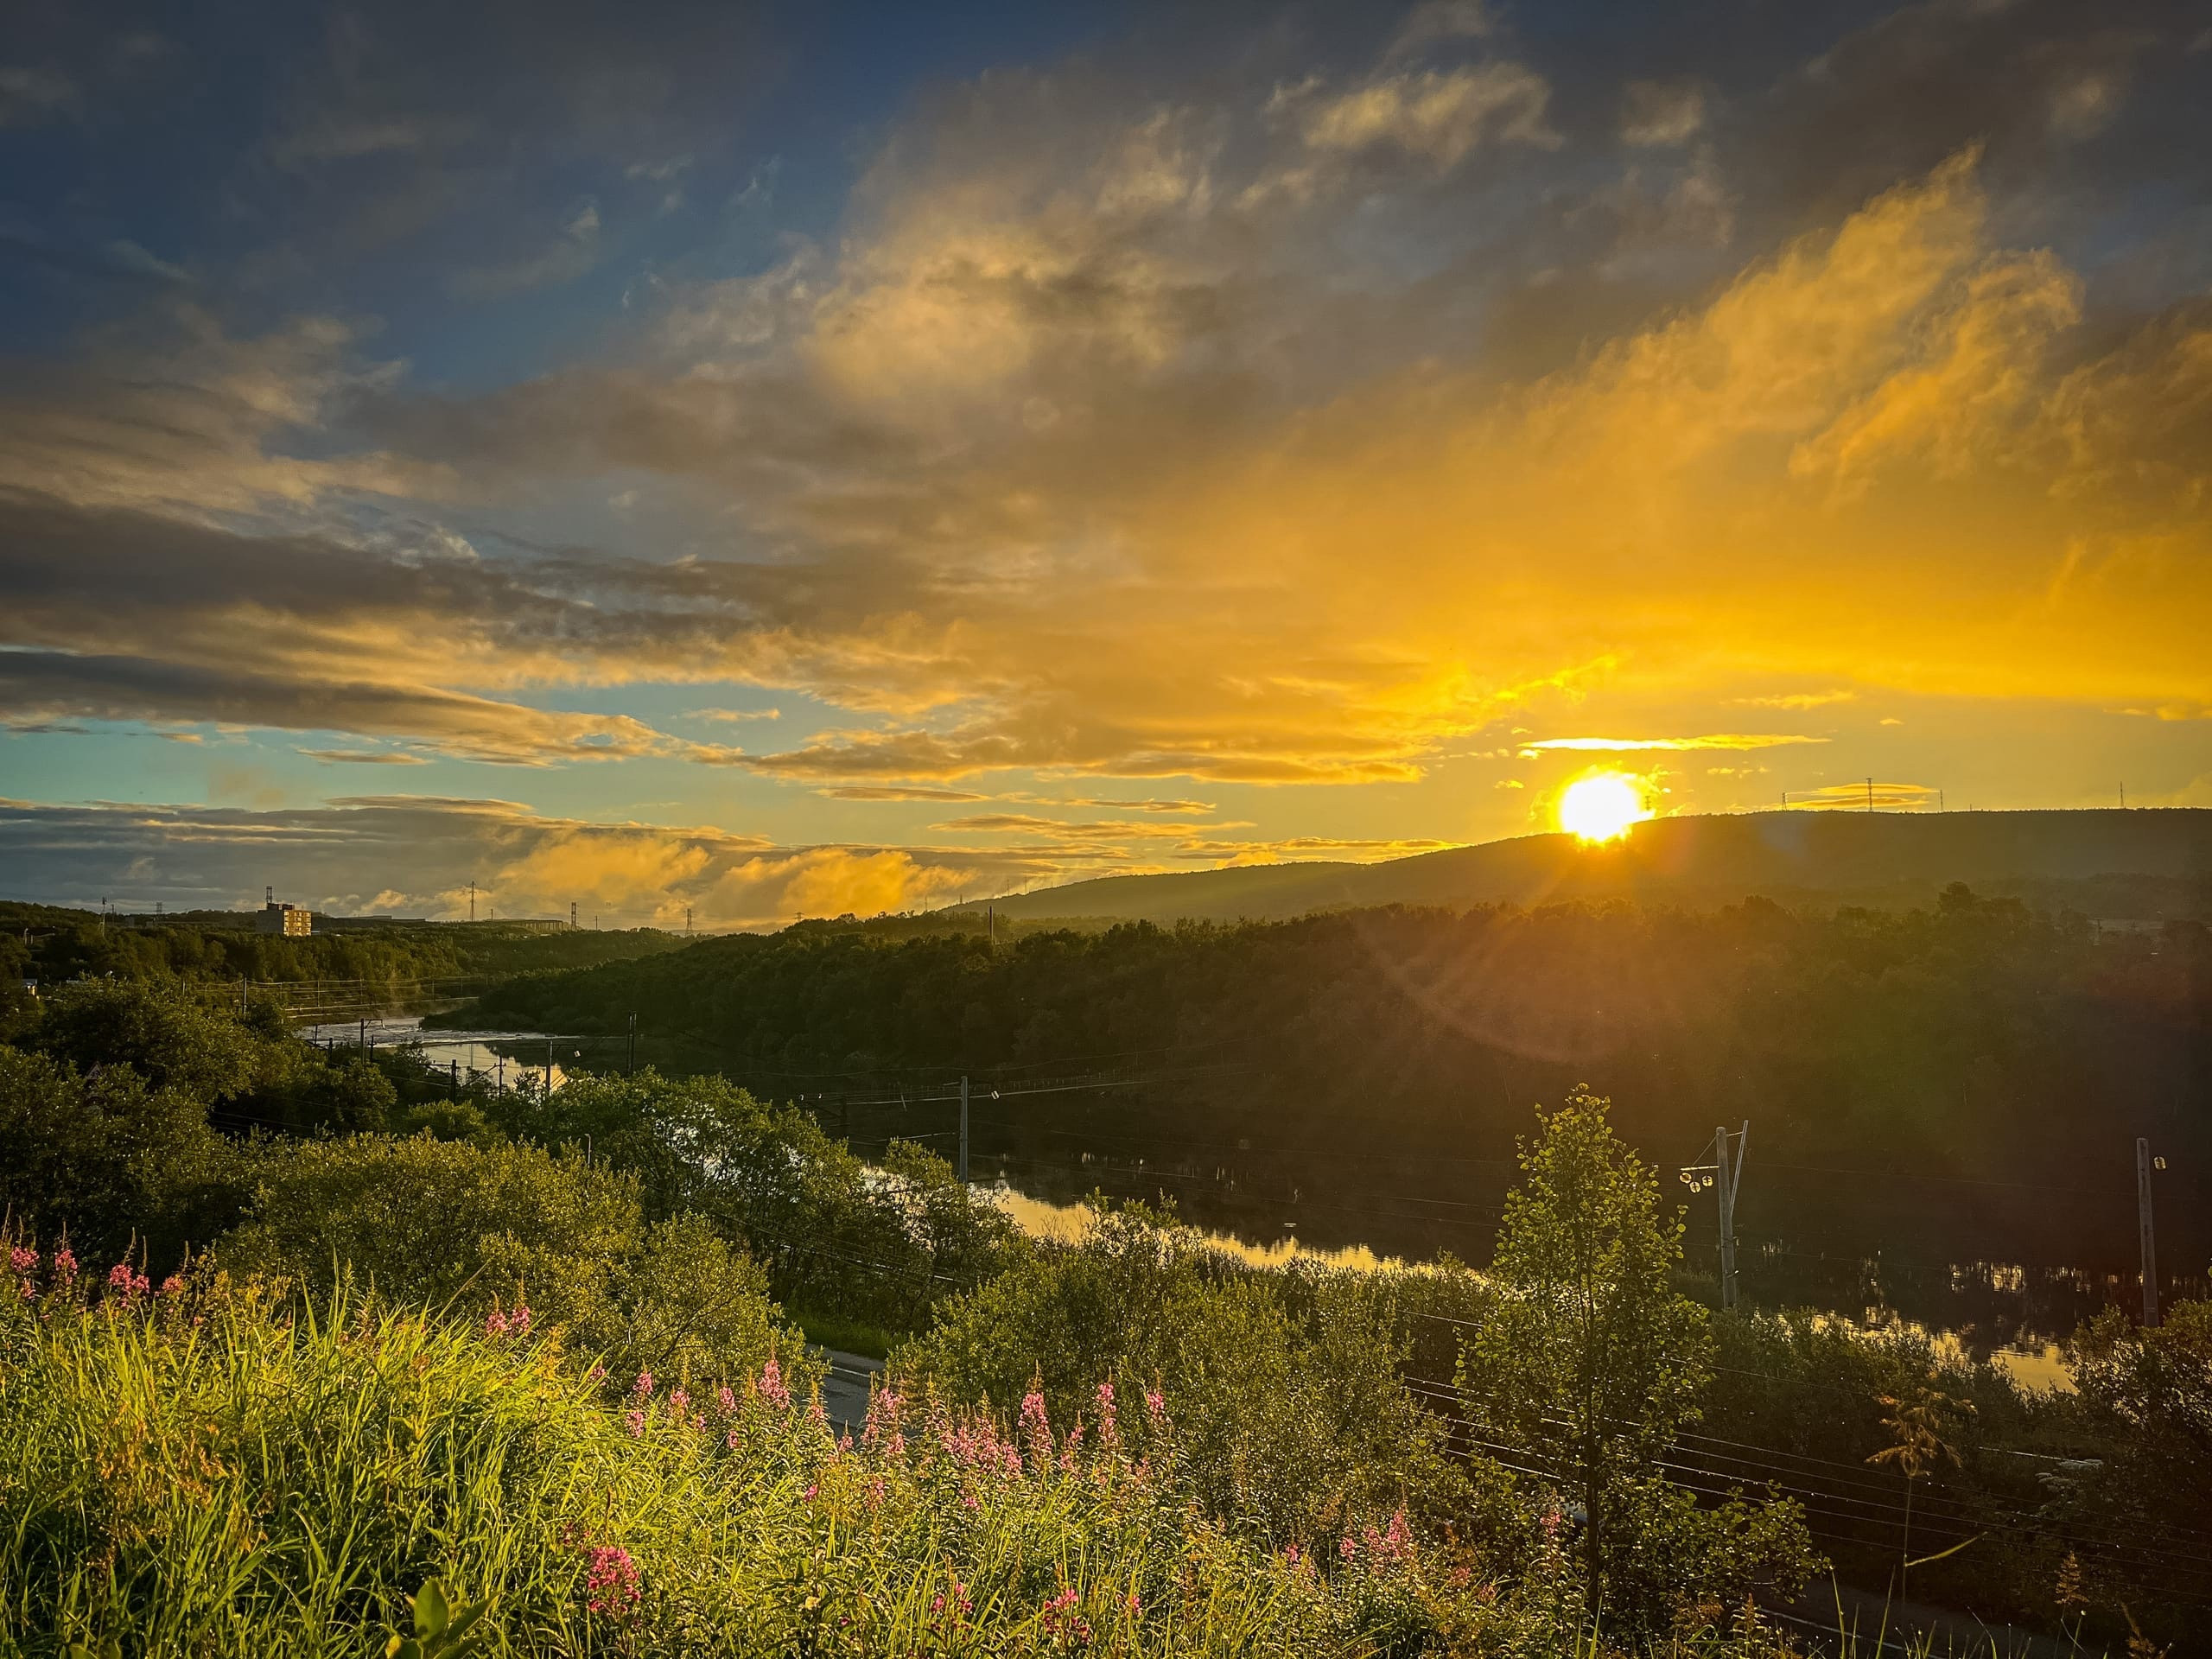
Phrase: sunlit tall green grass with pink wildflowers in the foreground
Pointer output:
(205, 1470)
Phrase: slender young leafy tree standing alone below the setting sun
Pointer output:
(1589, 1355)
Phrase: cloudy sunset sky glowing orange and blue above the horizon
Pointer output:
(791, 461)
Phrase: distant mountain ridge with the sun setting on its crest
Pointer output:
(2114, 866)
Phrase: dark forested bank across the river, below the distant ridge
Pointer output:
(1972, 1076)
